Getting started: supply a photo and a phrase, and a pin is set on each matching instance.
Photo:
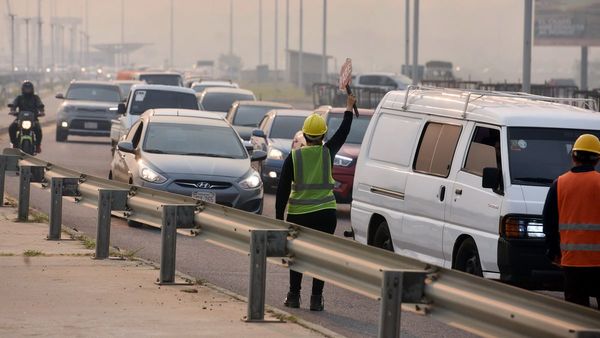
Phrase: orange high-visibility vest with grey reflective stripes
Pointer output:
(579, 218)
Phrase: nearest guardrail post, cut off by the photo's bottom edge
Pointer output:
(398, 287)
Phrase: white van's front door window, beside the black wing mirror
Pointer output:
(484, 151)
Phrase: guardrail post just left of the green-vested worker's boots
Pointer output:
(263, 244)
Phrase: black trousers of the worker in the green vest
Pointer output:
(322, 220)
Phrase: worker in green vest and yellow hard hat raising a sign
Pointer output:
(306, 188)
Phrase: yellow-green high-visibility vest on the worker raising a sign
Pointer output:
(312, 189)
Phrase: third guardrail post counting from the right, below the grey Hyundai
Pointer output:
(174, 216)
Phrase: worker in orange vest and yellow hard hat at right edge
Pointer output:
(572, 222)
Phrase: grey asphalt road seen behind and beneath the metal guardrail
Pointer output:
(346, 313)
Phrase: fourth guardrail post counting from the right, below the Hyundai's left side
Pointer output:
(108, 200)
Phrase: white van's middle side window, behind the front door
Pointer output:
(436, 149)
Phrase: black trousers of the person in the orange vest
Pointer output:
(581, 284)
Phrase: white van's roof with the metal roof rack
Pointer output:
(504, 109)
